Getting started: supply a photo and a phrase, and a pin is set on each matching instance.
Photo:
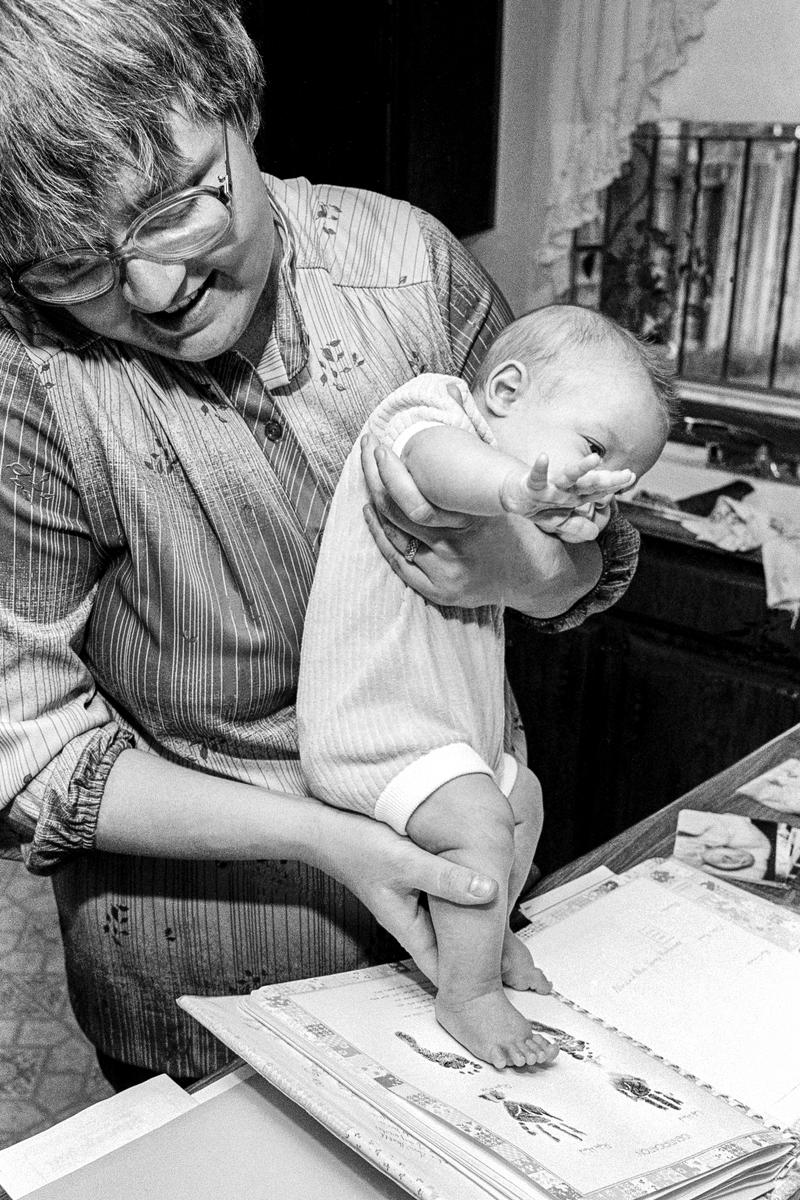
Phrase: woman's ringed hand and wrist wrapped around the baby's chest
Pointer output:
(452, 559)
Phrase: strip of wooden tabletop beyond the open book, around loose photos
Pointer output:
(654, 837)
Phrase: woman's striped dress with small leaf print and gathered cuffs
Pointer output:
(159, 530)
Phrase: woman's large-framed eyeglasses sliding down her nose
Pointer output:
(172, 231)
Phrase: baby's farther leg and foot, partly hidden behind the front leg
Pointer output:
(526, 803)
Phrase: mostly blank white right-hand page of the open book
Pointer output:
(631, 958)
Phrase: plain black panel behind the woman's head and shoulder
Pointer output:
(399, 97)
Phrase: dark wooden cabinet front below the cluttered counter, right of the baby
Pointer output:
(689, 673)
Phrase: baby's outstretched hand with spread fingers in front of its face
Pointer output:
(527, 493)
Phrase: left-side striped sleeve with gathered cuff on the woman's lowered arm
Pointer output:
(58, 736)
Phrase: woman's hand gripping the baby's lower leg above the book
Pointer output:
(390, 874)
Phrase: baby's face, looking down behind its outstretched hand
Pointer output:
(609, 411)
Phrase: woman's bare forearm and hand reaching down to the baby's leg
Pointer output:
(157, 809)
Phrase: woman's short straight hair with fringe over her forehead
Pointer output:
(87, 92)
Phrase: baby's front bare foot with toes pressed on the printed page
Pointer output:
(494, 1030)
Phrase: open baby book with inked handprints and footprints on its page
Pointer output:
(678, 1073)
